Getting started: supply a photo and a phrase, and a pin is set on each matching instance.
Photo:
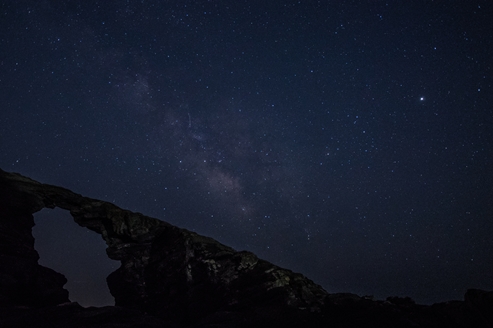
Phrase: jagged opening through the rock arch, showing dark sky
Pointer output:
(76, 252)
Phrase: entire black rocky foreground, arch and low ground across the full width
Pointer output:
(171, 277)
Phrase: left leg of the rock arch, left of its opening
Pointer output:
(22, 280)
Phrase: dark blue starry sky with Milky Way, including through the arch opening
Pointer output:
(351, 141)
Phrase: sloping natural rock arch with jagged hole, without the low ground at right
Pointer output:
(165, 271)
